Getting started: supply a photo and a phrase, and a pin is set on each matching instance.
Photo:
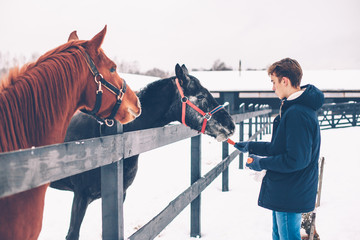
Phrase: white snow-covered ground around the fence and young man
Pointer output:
(224, 215)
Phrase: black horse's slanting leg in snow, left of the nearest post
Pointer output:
(80, 204)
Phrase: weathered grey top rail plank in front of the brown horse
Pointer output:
(26, 169)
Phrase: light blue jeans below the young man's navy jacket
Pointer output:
(286, 226)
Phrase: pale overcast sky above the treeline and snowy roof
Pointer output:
(320, 34)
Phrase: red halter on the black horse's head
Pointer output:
(185, 100)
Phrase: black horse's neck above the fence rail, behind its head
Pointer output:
(157, 104)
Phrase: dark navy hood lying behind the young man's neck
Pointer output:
(312, 97)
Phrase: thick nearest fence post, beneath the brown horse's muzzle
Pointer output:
(112, 195)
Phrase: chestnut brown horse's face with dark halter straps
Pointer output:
(130, 105)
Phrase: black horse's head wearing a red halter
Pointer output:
(207, 115)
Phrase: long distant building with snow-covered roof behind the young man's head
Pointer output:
(255, 86)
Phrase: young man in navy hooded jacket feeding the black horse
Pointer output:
(291, 158)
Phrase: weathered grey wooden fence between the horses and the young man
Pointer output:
(26, 169)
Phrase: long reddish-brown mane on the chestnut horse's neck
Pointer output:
(31, 98)
